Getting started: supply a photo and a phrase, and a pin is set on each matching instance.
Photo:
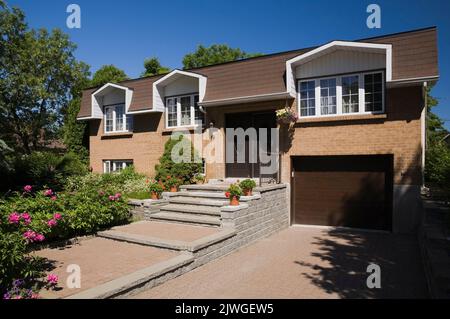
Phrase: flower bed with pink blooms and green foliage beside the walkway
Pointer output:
(28, 218)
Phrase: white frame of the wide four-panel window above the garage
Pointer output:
(361, 95)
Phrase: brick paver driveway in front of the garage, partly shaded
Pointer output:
(306, 263)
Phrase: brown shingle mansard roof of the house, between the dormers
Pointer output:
(414, 55)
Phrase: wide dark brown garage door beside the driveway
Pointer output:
(350, 191)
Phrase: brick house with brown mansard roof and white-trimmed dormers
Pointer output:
(356, 154)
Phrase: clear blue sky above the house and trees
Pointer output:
(124, 33)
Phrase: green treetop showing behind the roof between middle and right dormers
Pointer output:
(216, 53)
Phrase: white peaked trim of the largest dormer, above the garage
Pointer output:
(333, 46)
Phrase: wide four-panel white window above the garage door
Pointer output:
(348, 94)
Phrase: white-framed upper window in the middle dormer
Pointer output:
(183, 111)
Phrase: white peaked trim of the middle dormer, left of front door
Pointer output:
(158, 87)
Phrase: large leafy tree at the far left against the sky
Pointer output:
(38, 72)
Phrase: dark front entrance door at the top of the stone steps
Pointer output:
(247, 120)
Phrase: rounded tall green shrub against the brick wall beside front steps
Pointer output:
(185, 171)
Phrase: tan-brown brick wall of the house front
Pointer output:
(398, 132)
